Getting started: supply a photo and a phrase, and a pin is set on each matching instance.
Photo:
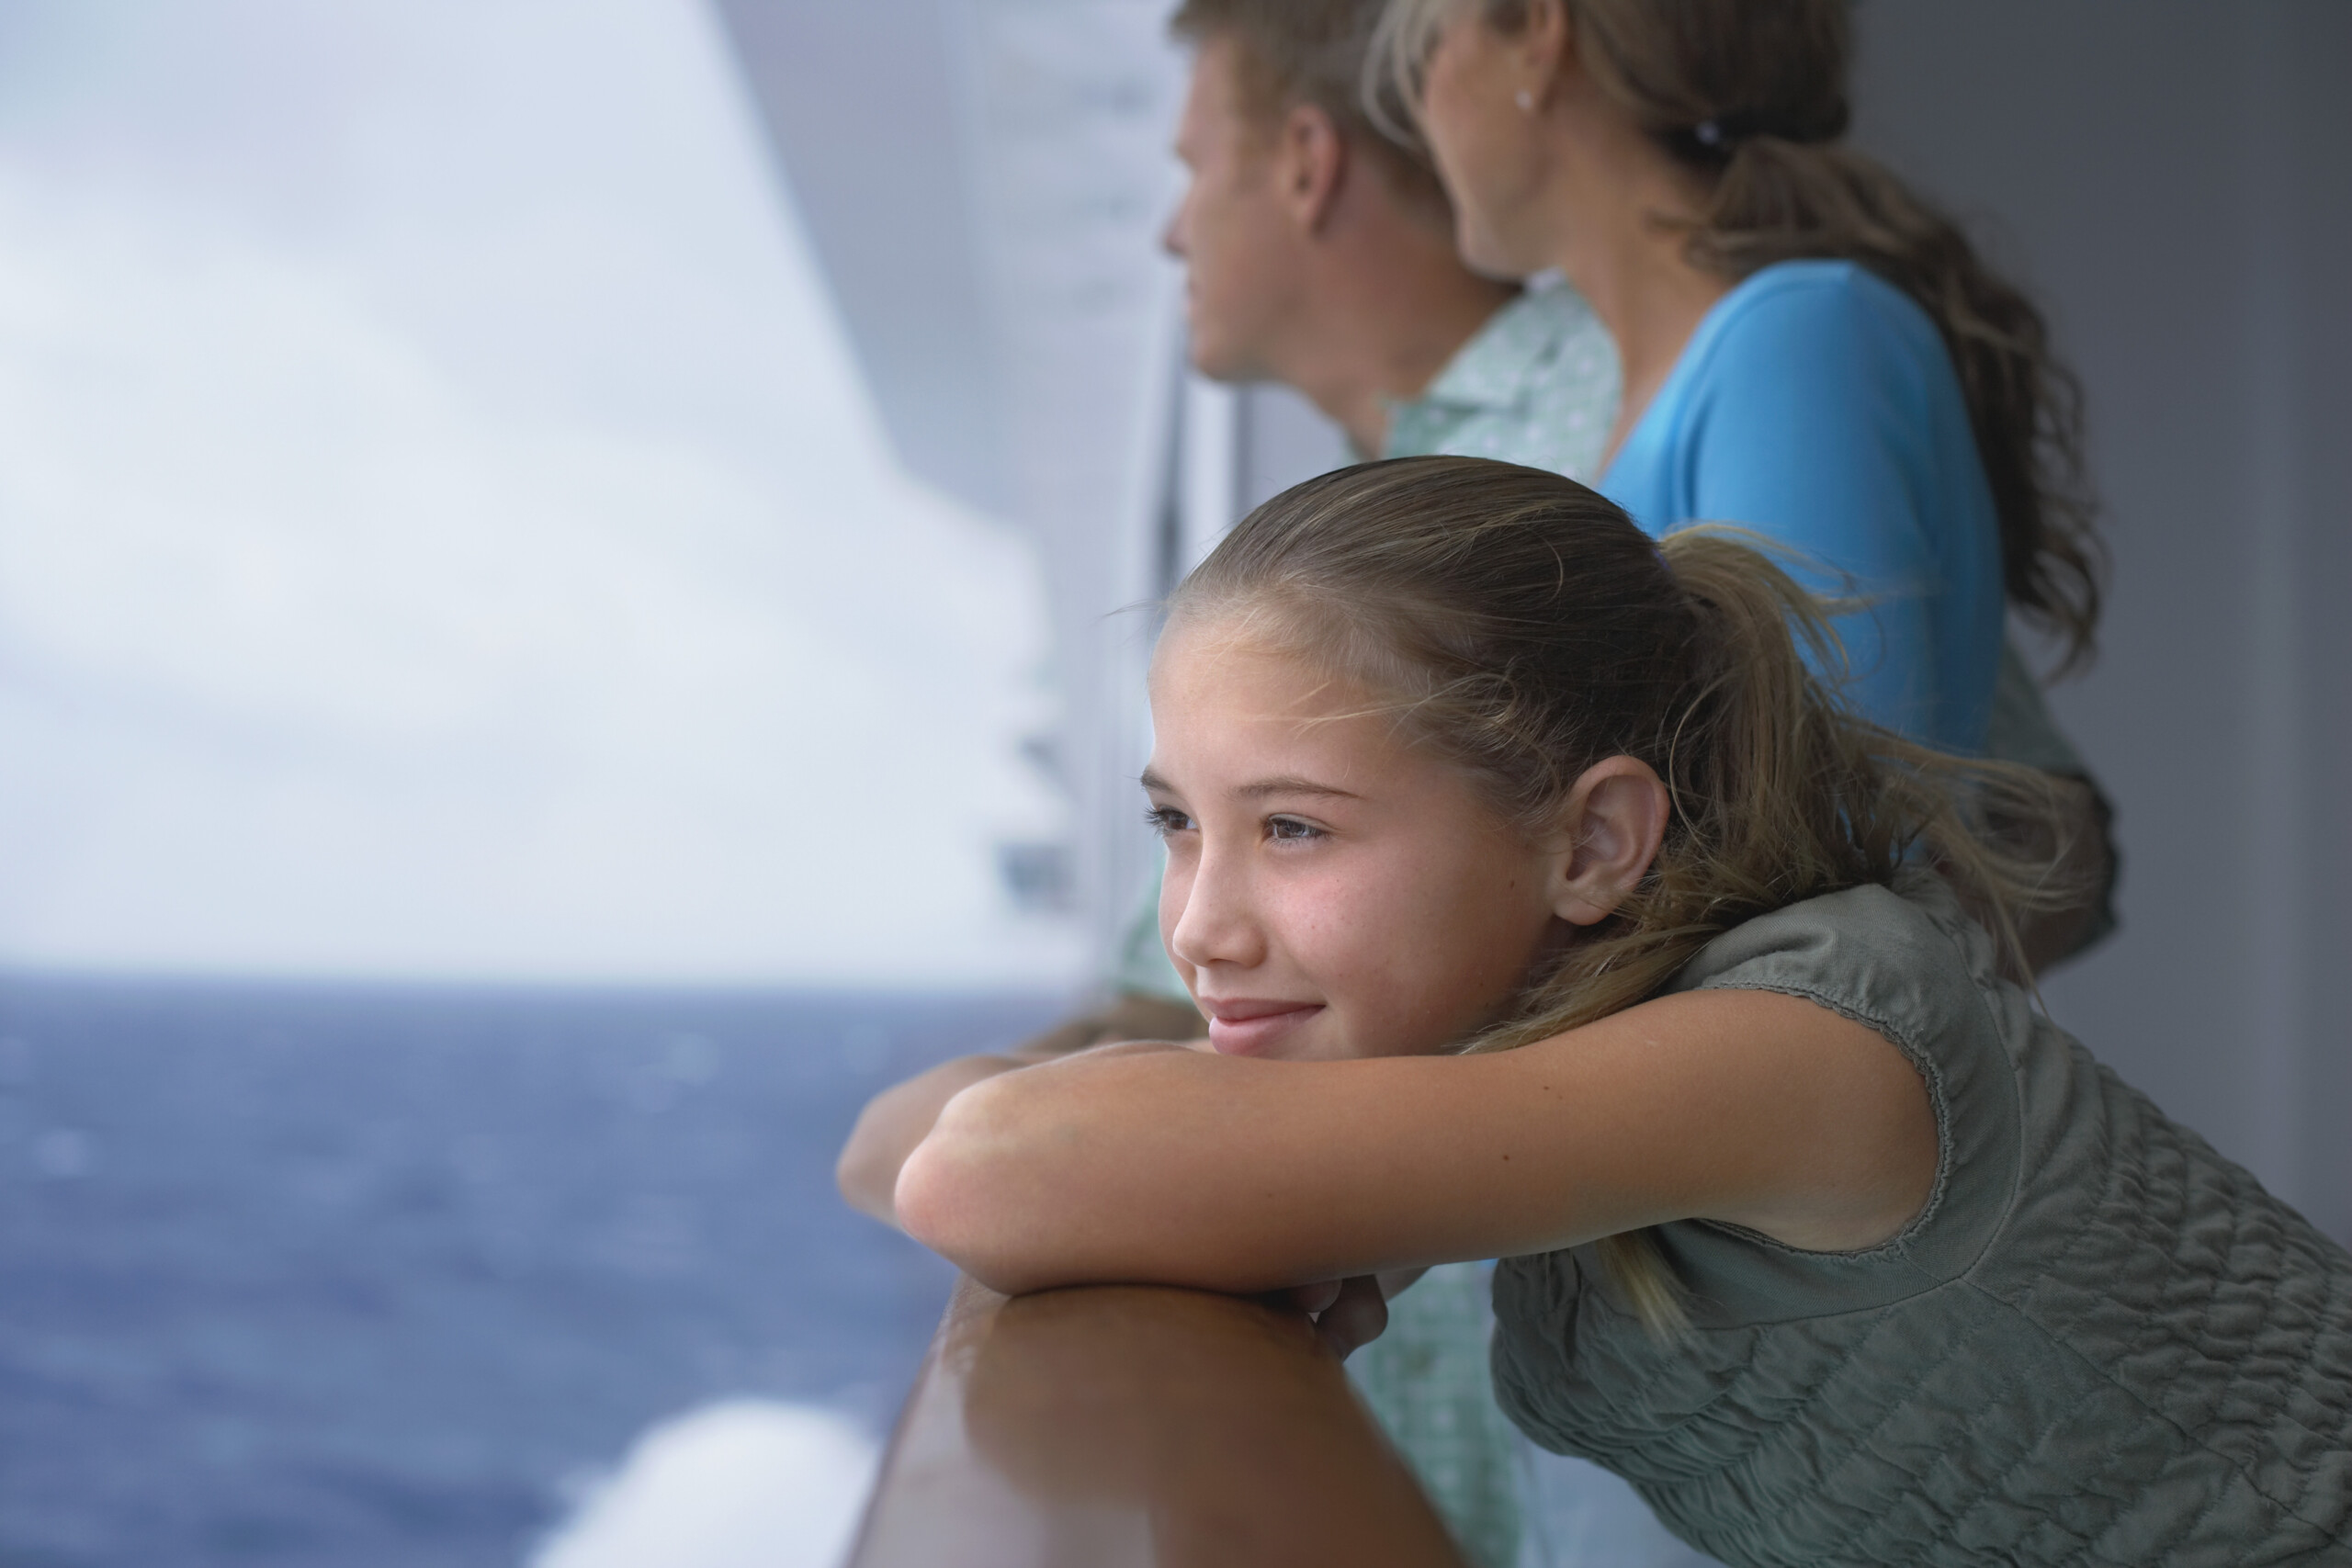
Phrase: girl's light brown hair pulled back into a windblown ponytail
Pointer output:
(1523, 629)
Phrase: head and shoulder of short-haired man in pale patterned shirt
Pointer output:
(1321, 255)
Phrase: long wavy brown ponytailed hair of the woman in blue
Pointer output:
(1753, 98)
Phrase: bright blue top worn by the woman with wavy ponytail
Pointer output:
(1817, 406)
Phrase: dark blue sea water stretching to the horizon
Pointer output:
(368, 1278)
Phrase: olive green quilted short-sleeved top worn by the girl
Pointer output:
(2102, 1341)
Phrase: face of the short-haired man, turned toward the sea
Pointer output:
(1234, 232)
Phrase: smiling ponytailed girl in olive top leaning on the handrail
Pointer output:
(1546, 909)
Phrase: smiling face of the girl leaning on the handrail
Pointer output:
(1332, 892)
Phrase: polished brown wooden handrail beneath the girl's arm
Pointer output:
(1140, 1428)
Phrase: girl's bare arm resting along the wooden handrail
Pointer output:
(1241, 1174)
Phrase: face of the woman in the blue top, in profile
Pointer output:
(1485, 147)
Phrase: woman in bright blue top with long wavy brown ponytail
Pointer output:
(1808, 349)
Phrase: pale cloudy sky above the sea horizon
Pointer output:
(443, 532)
